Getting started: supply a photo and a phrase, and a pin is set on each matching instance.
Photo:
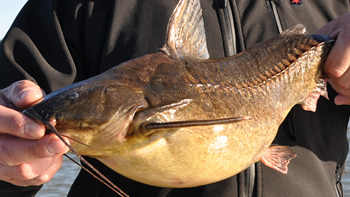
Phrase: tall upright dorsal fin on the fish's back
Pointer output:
(185, 33)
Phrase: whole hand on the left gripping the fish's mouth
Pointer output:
(27, 155)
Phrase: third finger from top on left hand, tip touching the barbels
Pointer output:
(15, 151)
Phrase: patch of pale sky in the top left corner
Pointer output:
(8, 12)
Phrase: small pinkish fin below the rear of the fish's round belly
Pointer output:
(278, 158)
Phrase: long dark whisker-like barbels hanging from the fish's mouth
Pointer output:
(103, 178)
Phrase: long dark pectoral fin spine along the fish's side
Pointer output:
(193, 123)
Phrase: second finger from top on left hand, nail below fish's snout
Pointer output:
(15, 123)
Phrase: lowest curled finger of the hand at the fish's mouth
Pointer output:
(35, 173)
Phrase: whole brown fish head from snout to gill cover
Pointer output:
(90, 112)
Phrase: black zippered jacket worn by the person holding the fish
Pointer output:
(58, 42)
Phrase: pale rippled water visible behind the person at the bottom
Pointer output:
(60, 184)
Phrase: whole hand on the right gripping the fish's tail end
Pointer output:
(337, 63)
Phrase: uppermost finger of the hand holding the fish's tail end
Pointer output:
(338, 60)
